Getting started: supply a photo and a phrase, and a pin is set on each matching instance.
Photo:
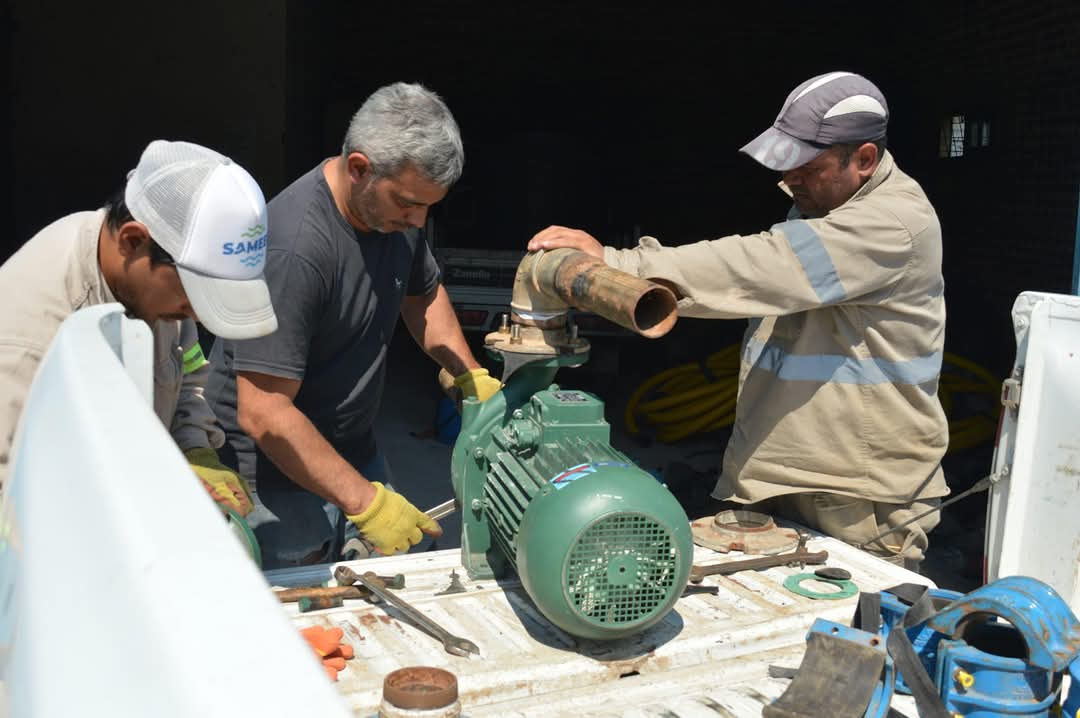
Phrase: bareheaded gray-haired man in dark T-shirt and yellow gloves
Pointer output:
(345, 260)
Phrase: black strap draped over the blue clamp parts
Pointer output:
(921, 608)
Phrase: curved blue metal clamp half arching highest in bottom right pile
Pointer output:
(1042, 618)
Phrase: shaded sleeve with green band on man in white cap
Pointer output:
(194, 425)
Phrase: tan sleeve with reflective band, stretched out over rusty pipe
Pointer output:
(796, 266)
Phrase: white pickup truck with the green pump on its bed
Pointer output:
(124, 593)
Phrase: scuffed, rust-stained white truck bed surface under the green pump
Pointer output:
(709, 657)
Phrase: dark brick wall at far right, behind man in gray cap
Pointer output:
(1009, 211)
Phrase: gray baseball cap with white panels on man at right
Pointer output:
(835, 109)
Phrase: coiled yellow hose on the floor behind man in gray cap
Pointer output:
(693, 399)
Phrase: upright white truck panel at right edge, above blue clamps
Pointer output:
(1034, 517)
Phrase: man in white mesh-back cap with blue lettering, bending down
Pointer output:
(185, 240)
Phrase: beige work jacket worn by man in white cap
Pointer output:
(57, 274)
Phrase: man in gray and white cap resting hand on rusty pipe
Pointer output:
(839, 425)
